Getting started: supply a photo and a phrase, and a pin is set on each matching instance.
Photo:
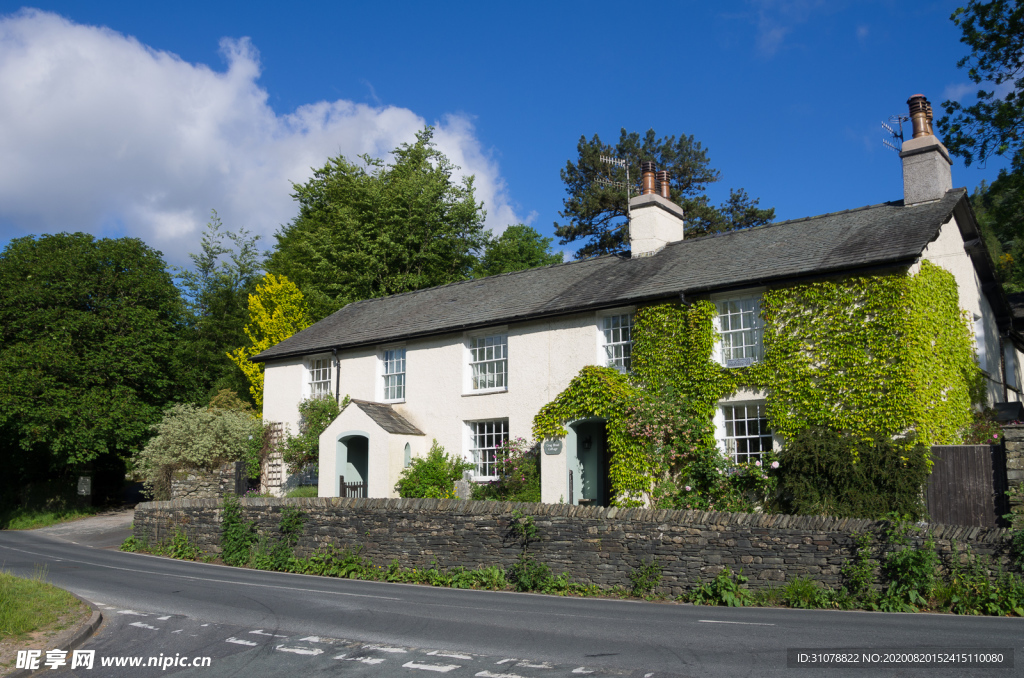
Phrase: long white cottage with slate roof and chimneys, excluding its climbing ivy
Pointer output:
(471, 364)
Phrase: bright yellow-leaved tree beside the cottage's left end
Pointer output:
(276, 313)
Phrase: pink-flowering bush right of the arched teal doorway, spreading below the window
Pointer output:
(688, 470)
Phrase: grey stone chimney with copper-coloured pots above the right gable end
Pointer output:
(926, 161)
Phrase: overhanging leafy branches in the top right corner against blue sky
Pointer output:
(994, 125)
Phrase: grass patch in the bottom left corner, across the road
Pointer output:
(30, 605)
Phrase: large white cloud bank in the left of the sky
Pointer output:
(102, 134)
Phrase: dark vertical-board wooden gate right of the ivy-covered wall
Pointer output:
(968, 485)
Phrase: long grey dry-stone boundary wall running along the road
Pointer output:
(594, 544)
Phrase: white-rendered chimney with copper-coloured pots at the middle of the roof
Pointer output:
(655, 221)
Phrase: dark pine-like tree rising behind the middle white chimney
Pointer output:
(596, 211)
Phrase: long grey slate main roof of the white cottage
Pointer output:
(874, 236)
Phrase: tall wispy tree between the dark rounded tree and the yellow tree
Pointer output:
(217, 290)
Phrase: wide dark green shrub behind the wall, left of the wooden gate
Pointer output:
(827, 473)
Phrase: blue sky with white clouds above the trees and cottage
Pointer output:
(129, 118)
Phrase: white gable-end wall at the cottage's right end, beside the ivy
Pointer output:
(948, 251)
